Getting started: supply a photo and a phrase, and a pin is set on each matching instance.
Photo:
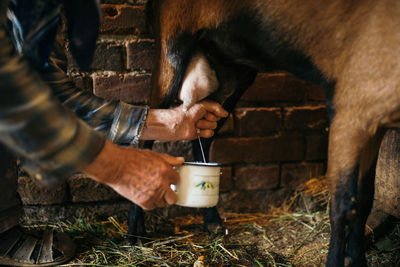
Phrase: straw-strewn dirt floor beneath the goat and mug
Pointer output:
(295, 234)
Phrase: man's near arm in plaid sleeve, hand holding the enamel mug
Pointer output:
(54, 144)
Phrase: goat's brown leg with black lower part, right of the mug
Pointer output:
(351, 164)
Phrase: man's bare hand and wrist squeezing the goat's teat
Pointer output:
(177, 124)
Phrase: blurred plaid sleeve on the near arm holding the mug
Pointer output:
(51, 141)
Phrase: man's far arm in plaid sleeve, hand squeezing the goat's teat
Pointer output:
(123, 123)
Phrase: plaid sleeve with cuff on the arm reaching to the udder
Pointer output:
(121, 123)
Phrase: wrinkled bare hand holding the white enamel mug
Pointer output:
(141, 176)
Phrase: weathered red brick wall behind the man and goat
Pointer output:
(275, 139)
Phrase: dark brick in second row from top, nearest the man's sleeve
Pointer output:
(108, 56)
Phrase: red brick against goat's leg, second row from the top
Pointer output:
(140, 54)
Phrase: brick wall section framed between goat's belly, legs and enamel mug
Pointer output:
(275, 140)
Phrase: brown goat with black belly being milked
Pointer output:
(349, 48)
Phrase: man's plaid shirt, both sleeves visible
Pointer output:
(52, 142)
